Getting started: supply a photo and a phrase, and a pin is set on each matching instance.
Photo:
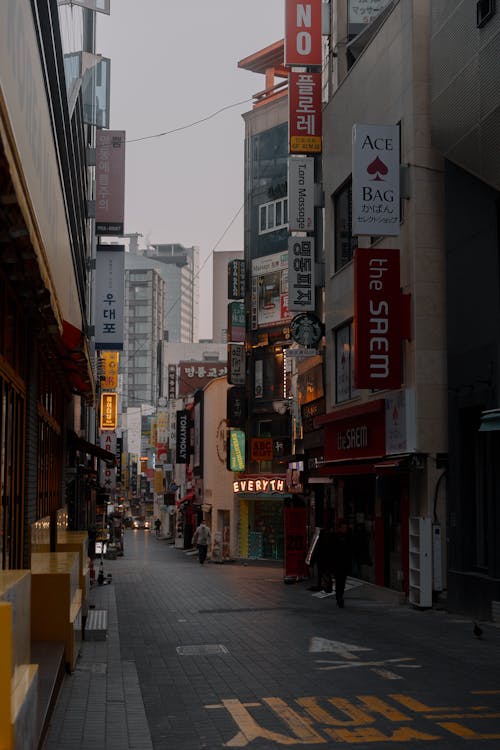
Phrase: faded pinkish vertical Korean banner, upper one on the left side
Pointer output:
(110, 182)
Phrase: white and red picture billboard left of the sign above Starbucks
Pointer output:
(269, 305)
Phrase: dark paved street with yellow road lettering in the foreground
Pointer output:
(228, 655)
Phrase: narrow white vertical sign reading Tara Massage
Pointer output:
(301, 193)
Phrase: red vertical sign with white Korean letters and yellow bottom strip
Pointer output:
(304, 101)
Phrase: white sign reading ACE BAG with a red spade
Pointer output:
(375, 180)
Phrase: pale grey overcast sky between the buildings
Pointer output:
(172, 64)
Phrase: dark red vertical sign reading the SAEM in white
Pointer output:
(378, 316)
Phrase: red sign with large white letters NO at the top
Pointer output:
(303, 33)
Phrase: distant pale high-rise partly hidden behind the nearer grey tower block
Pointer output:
(182, 290)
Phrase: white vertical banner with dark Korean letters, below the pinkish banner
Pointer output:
(109, 294)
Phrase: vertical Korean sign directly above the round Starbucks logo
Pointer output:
(301, 274)
